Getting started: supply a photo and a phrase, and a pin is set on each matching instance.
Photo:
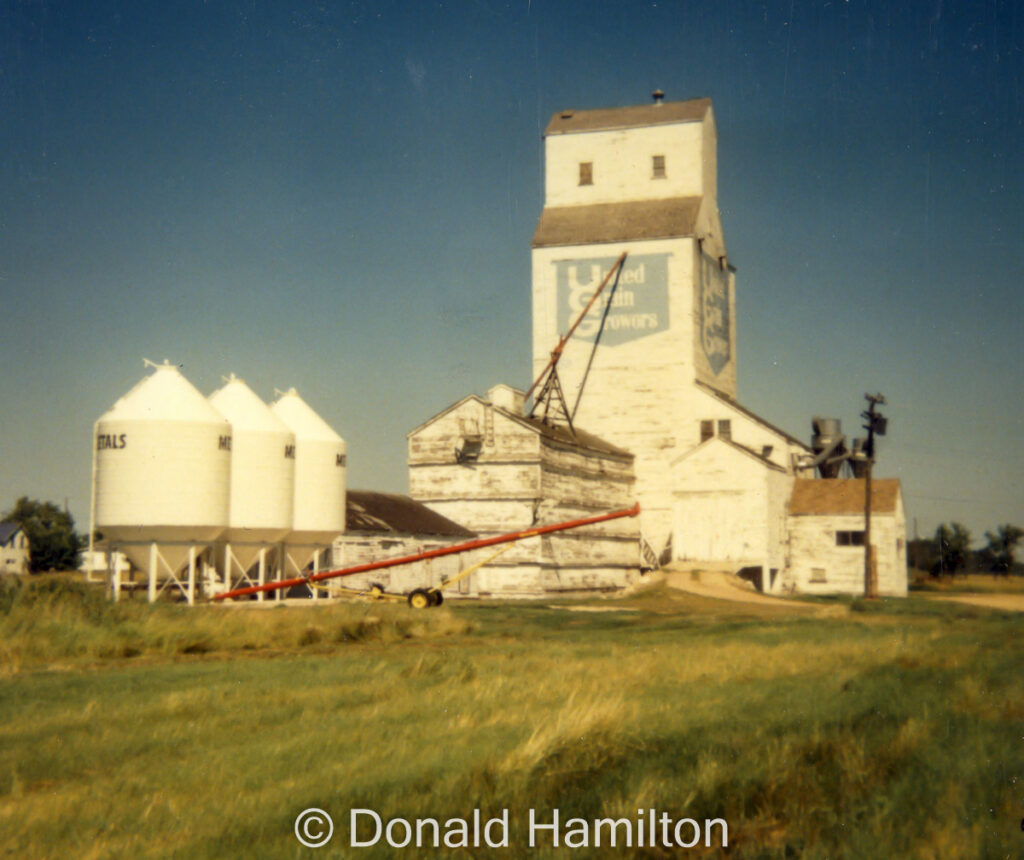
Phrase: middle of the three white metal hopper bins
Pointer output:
(263, 483)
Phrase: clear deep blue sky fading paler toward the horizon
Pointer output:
(340, 197)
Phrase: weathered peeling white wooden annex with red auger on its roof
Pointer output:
(483, 463)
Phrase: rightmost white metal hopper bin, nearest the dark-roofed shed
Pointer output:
(319, 512)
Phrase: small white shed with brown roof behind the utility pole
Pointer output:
(827, 537)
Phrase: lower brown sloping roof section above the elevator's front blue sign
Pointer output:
(645, 220)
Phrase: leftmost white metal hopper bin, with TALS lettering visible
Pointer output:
(162, 460)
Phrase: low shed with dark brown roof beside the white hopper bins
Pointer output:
(381, 526)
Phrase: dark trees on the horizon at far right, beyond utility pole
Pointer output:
(950, 553)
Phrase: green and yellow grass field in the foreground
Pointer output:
(886, 730)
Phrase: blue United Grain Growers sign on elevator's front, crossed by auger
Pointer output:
(639, 307)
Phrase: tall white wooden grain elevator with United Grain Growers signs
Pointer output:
(643, 180)
